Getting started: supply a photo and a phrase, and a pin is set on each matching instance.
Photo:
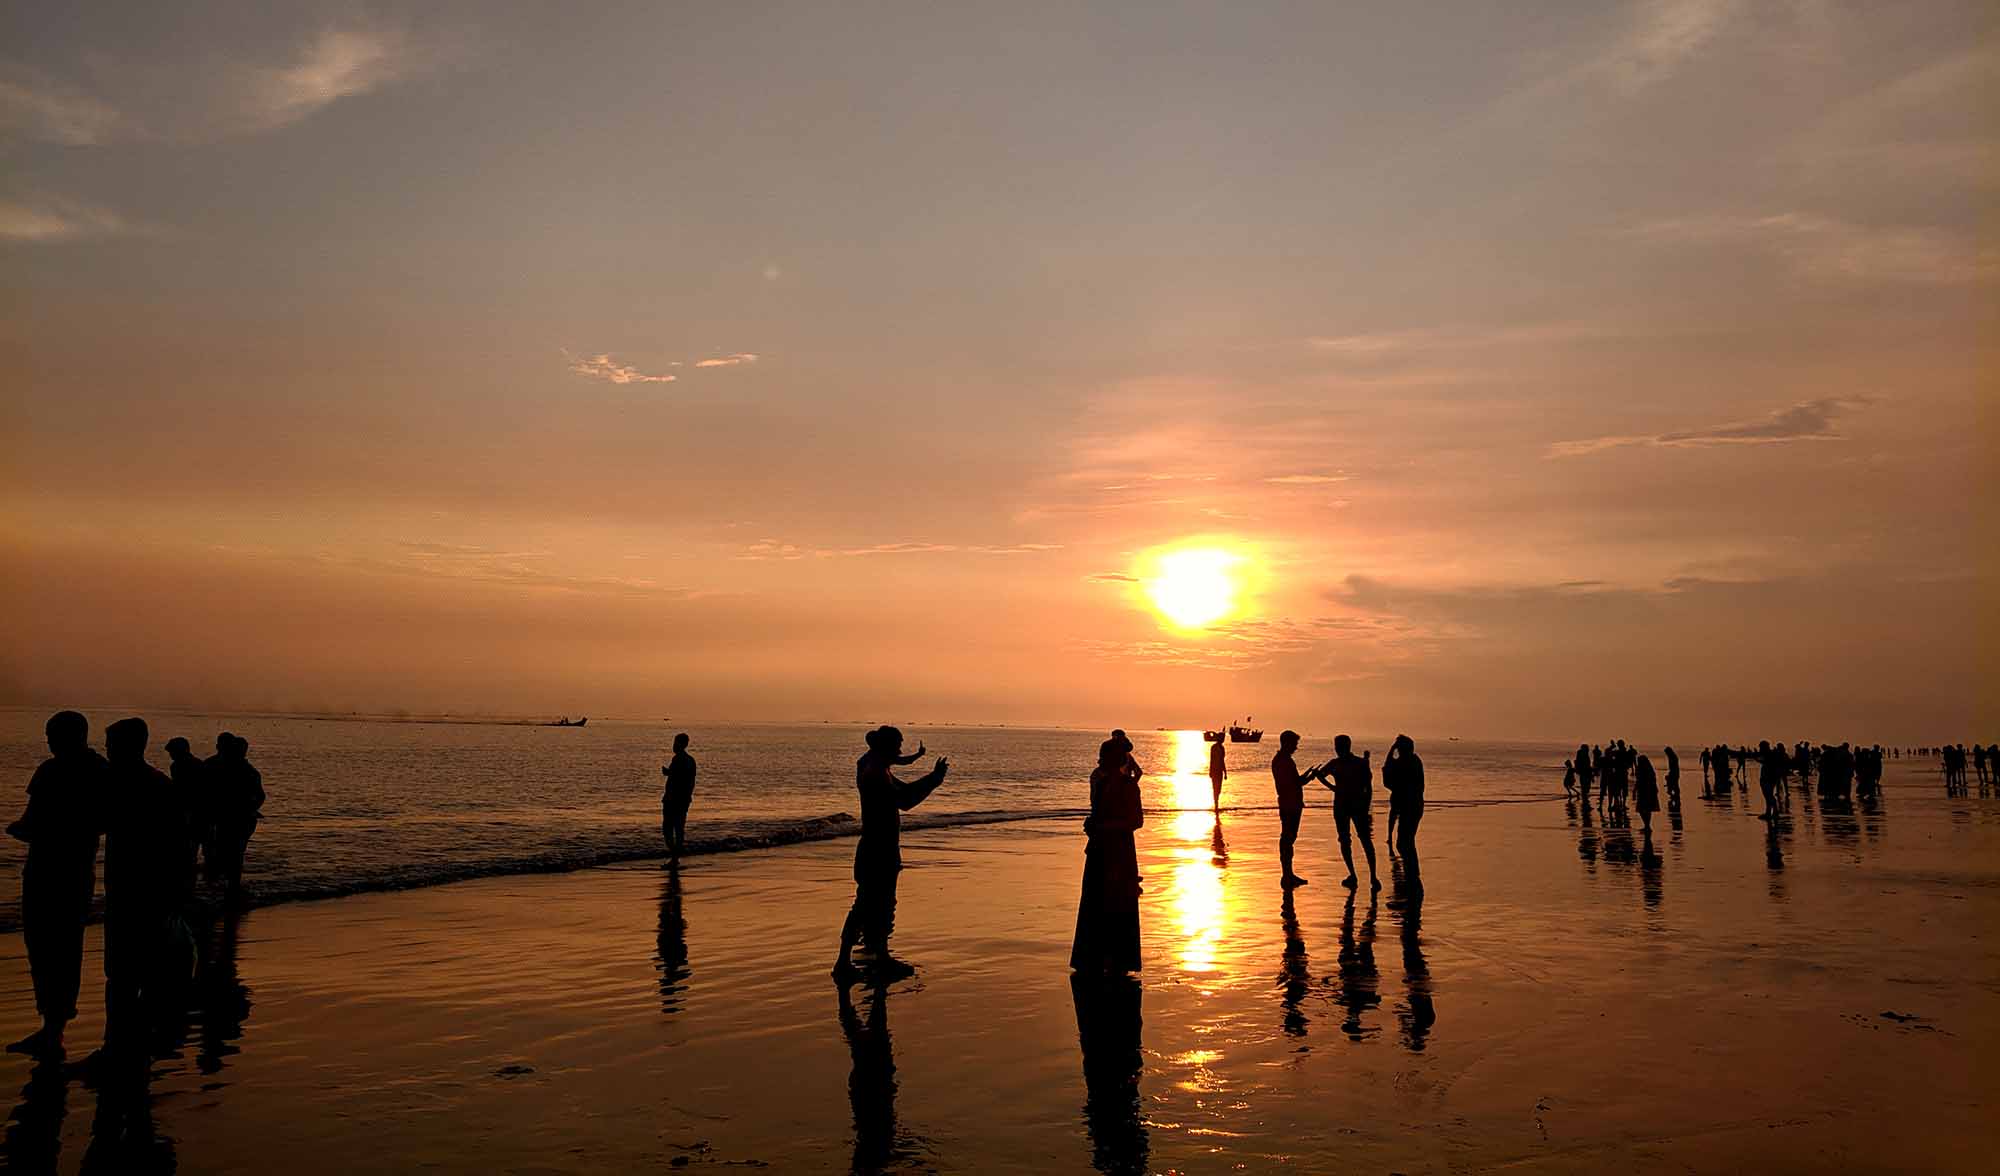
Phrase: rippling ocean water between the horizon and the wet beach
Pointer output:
(375, 805)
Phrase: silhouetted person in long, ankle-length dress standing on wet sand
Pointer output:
(1107, 915)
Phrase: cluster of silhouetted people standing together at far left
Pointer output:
(159, 831)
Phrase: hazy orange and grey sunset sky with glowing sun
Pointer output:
(1553, 369)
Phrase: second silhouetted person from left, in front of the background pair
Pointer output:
(149, 879)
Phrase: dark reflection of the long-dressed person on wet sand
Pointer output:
(1109, 1031)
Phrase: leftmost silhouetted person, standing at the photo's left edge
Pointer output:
(61, 875)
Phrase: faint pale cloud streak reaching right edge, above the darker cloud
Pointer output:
(1827, 249)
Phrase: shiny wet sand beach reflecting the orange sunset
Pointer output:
(1561, 1001)
